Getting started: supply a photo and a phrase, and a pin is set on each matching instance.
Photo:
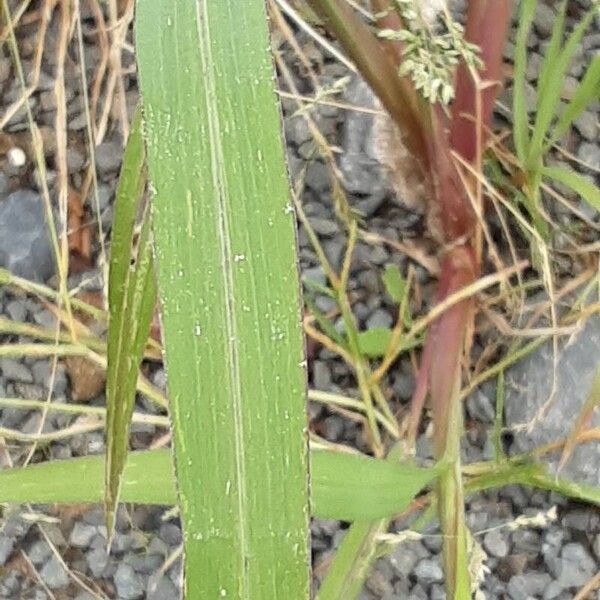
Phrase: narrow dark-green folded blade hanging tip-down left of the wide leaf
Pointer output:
(132, 295)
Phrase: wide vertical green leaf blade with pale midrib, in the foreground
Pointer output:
(228, 283)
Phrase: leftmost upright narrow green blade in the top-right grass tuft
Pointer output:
(520, 118)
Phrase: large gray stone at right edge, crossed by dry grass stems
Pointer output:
(528, 388)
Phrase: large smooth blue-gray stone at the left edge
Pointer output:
(24, 241)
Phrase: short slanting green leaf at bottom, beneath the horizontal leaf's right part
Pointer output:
(352, 560)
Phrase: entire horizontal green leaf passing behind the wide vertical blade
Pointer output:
(343, 485)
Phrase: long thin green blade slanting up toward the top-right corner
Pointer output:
(549, 97)
